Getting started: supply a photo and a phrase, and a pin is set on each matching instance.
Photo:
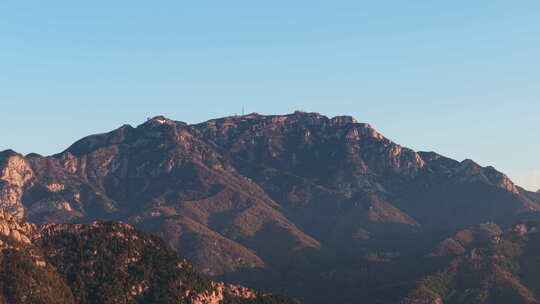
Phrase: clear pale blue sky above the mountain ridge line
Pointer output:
(457, 77)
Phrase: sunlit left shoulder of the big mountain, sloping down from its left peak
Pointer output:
(158, 177)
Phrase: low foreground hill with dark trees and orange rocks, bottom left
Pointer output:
(103, 263)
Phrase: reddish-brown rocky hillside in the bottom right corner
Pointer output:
(485, 264)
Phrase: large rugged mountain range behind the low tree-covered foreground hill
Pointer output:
(323, 209)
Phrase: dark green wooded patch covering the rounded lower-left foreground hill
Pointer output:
(116, 264)
